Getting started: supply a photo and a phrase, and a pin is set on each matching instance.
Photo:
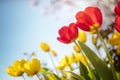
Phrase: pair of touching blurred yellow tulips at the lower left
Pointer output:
(29, 67)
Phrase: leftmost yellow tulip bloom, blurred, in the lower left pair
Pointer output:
(16, 69)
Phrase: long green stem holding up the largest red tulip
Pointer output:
(108, 55)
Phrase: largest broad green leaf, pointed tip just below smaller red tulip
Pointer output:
(99, 65)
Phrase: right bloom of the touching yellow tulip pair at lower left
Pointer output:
(32, 67)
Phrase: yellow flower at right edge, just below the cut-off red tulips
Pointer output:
(115, 40)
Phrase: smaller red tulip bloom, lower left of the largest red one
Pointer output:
(68, 34)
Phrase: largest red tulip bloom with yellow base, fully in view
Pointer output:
(90, 19)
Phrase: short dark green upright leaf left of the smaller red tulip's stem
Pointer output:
(84, 71)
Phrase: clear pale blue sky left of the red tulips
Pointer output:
(22, 29)
